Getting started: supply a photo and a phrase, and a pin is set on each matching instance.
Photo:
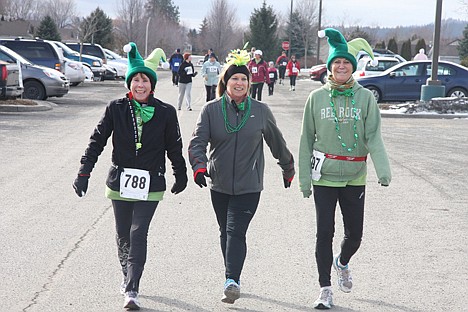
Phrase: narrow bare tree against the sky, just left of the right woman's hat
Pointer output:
(308, 14)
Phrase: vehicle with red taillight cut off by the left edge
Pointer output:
(11, 85)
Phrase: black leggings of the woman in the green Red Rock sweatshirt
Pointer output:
(351, 200)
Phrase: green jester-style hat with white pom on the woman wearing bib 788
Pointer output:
(136, 65)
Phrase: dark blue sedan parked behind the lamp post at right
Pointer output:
(403, 81)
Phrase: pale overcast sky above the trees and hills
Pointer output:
(335, 12)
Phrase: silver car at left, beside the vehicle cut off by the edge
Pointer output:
(39, 82)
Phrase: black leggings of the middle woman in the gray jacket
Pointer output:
(234, 213)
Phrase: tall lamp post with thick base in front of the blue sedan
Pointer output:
(433, 87)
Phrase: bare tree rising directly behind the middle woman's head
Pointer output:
(222, 36)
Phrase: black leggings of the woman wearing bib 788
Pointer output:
(132, 221)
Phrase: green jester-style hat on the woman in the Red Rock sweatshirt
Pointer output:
(340, 48)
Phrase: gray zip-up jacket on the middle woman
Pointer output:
(236, 160)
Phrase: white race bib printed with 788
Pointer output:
(134, 184)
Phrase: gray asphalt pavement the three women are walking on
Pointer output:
(58, 251)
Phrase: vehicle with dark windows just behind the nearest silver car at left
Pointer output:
(38, 51)
